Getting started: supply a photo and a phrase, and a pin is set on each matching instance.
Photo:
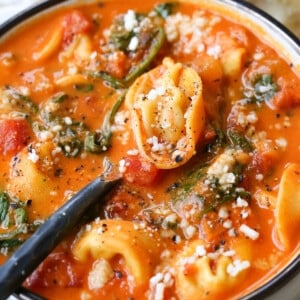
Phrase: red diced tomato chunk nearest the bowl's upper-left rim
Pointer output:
(74, 23)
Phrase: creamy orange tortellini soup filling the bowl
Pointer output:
(218, 234)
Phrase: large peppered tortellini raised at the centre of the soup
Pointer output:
(167, 113)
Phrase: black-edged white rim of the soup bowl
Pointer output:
(292, 269)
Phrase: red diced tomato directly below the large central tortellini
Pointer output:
(140, 171)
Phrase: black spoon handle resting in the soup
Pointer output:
(28, 256)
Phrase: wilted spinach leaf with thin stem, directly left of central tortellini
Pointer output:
(98, 142)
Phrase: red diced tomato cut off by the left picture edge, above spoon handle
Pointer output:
(14, 135)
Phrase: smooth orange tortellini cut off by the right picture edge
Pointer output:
(287, 211)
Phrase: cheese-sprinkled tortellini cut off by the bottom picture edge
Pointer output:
(202, 275)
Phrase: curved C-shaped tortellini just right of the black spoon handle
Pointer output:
(138, 246)
